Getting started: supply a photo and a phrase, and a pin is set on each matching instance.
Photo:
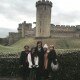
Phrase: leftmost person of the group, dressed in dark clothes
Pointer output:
(24, 70)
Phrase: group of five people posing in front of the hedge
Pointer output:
(35, 63)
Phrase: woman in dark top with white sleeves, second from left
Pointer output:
(33, 64)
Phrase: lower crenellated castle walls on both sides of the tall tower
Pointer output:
(55, 31)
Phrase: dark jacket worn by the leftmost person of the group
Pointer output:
(23, 59)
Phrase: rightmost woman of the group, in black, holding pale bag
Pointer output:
(52, 58)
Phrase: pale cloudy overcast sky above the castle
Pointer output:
(13, 12)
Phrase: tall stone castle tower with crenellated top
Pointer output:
(43, 18)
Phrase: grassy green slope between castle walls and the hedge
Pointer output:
(60, 44)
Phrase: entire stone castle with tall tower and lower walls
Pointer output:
(44, 28)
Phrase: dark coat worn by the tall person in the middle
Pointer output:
(41, 56)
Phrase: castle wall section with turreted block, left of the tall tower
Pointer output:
(24, 30)
